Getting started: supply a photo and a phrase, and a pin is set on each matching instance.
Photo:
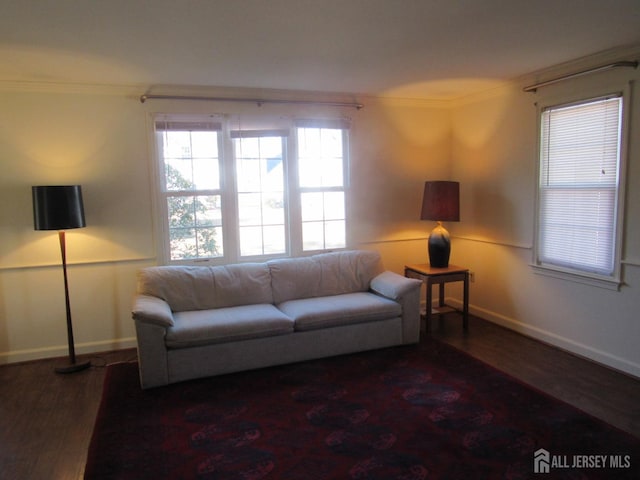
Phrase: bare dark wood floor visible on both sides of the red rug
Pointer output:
(46, 419)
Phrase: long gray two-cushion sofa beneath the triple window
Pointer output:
(201, 321)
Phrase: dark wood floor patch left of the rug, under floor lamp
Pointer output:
(46, 419)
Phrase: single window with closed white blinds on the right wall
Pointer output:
(578, 190)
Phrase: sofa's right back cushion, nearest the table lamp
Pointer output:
(324, 274)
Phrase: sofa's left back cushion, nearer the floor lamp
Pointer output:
(201, 288)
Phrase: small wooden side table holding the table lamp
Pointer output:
(440, 276)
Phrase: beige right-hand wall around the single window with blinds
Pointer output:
(494, 157)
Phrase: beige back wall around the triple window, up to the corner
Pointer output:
(98, 137)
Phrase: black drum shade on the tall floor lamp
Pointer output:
(57, 207)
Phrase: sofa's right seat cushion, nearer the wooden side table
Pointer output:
(346, 309)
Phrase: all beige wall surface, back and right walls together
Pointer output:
(98, 137)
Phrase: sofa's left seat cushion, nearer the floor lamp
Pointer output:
(204, 327)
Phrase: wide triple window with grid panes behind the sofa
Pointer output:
(229, 194)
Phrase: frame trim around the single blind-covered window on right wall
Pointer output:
(585, 276)
